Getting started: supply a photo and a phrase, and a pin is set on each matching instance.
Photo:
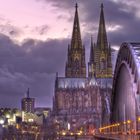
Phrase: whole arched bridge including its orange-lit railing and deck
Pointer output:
(125, 107)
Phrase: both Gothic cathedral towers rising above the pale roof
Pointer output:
(100, 54)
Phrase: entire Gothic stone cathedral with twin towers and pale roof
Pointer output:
(83, 97)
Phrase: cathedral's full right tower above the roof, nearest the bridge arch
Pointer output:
(102, 52)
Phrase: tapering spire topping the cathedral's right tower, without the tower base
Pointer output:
(102, 37)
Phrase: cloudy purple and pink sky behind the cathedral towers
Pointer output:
(34, 35)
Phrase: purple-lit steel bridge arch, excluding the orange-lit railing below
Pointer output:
(126, 83)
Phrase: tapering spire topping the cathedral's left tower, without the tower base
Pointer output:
(76, 35)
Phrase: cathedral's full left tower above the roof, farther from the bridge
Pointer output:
(75, 65)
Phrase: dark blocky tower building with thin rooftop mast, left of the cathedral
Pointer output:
(27, 103)
